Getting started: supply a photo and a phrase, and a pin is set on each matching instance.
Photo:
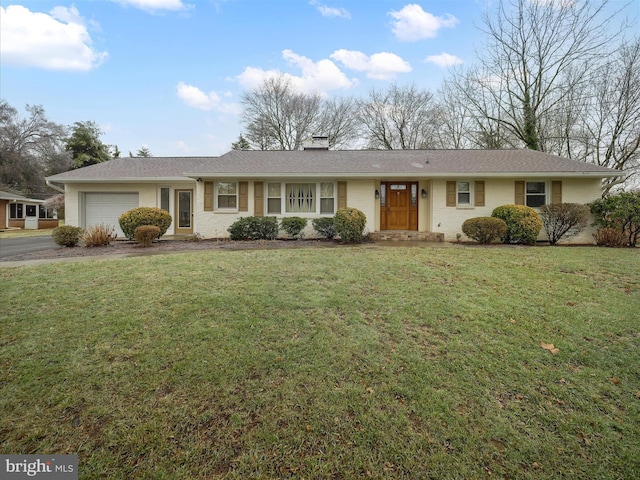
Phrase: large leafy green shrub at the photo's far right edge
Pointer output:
(620, 212)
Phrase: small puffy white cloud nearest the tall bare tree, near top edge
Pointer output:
(412, 23)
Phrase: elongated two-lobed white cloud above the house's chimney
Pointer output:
(317, 77)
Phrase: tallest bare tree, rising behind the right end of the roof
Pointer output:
(537, 54)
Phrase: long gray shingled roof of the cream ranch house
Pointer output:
(336, 163)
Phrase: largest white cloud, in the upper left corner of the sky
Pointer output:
(55, 41)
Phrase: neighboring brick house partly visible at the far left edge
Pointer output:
(17, 211)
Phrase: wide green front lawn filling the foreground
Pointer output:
(328, 363)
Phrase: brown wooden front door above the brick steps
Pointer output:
(399, 206)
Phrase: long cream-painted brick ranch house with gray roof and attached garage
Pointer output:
(409, 191)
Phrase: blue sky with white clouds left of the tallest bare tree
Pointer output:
(169, 74)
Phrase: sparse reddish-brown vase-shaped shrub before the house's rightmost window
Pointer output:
(563, 220)
